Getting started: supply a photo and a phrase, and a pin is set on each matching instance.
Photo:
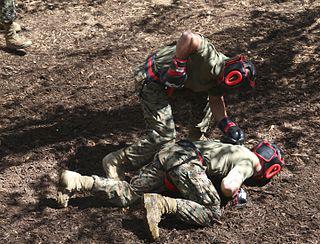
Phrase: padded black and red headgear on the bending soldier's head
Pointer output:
(238, 74)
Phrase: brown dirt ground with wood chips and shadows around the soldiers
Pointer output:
(68, 101)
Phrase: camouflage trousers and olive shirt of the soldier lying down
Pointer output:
(198, 183)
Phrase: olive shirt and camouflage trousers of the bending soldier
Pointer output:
(203, 69)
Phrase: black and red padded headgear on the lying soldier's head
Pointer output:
(271, 161)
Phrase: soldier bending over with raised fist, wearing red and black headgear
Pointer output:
(195, 64)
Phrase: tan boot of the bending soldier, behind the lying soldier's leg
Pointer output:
(114, 164)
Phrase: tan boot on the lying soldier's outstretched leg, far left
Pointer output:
(71, 182)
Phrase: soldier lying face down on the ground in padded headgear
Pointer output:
(205, 175)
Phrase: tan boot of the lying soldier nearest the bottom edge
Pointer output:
(155, 206)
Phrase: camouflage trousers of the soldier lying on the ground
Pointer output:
(198, 202)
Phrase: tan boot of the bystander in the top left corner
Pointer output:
(13, 40)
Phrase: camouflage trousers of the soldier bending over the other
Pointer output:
(158, 117)
